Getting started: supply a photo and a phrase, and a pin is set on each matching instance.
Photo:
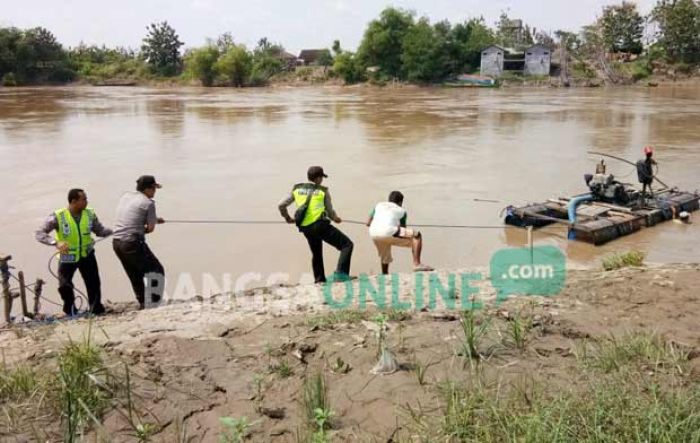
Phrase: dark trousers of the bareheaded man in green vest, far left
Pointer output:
(91, 276)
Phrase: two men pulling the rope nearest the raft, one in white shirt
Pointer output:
(387, 227)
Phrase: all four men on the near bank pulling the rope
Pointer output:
(70, 231)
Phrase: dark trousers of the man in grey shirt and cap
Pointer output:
(140, 263)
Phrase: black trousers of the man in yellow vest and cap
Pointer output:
(322, 231)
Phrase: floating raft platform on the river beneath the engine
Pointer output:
(598, 222)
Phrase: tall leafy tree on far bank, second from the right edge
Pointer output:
(622, 28)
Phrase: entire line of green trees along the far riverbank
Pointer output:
(396, 45)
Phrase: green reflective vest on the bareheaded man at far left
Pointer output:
(78, 236)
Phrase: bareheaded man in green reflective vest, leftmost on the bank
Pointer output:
(73, 227)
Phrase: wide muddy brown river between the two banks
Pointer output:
(225, 154)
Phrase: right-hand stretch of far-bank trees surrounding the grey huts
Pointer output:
(398, 46)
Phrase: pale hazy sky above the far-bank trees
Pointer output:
(296, 24)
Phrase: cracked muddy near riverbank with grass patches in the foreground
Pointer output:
(257, 353)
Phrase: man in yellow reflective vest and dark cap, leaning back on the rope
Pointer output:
(315, 223)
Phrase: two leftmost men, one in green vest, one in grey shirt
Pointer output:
(72, 228)
